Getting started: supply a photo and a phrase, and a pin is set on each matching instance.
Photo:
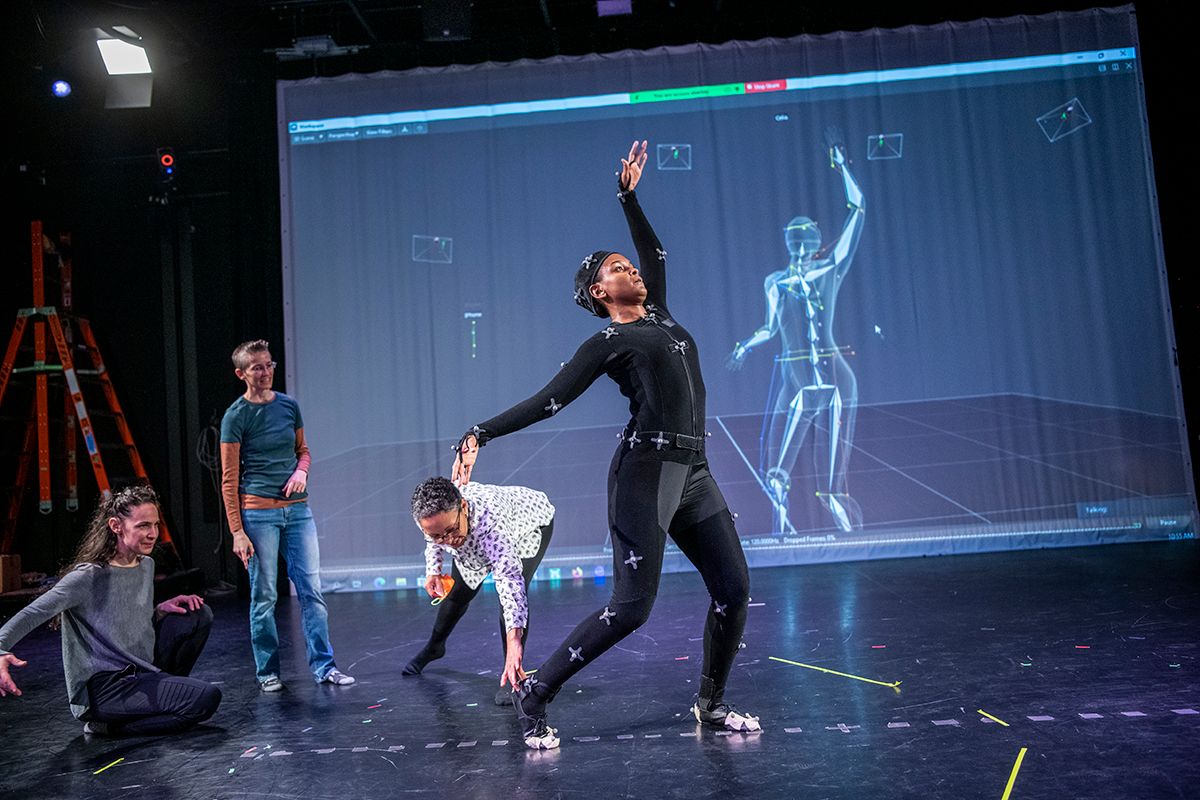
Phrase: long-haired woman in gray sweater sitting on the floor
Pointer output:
(127, 661)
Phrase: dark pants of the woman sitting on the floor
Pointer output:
(151, 703)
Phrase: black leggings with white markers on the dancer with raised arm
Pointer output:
(650, 500)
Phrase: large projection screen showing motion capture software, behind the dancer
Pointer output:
(956, 341)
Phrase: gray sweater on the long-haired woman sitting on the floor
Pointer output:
(107, 623)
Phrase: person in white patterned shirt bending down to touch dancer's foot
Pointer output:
(499, 530)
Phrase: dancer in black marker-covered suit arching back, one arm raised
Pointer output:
(659, 483)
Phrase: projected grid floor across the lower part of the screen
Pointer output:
(992, 460)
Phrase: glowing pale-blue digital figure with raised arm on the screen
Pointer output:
(814, 382)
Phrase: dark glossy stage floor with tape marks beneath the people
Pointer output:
(1089, 655)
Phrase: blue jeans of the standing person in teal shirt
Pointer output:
(293, 528)
